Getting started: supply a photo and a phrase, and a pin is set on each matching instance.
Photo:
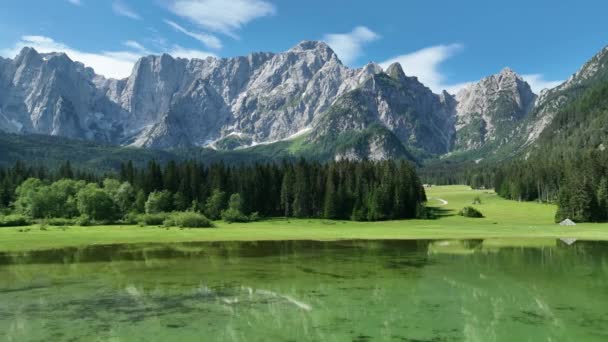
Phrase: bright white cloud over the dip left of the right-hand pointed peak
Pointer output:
(425, 64)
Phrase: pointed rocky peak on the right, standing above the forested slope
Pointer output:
(488, 111)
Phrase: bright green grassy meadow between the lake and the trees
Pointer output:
(503, 219)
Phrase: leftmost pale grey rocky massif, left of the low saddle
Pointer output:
(49, 94)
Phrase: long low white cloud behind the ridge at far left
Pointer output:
(114, 64)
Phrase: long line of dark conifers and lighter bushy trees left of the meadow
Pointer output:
(365, 191)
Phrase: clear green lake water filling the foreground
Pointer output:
(309, 291)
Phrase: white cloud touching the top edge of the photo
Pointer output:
(222, 15)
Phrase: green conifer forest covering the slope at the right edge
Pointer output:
(567, 166)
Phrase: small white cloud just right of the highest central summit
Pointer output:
(348, 46)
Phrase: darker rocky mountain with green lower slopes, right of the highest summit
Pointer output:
(387, 112)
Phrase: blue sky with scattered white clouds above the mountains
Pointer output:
(445, 43)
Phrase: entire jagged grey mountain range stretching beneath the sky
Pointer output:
(303, 101)
